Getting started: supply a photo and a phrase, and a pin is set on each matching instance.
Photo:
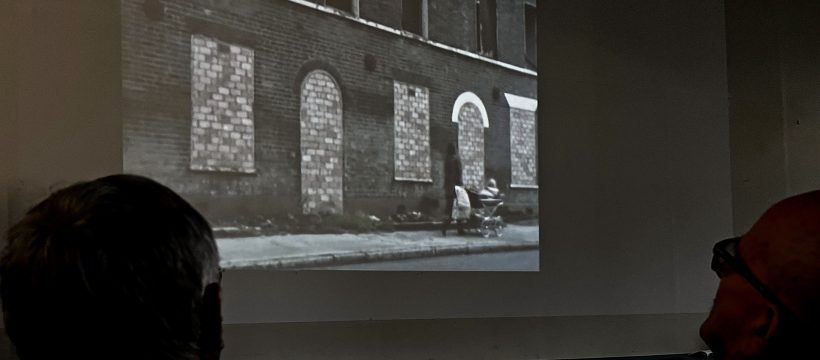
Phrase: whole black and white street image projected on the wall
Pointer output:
(342, 134)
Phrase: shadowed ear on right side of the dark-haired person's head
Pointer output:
(210, 337)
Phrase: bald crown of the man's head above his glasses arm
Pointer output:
(783, 249)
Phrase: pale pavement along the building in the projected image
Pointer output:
(301, 251)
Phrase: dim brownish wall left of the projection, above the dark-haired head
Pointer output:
(68, 97)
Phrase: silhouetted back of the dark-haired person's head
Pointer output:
(120, 268)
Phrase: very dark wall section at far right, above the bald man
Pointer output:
(774, 112)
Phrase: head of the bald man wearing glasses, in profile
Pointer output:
(766, 303)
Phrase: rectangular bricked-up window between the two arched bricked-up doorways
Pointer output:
(411, 151)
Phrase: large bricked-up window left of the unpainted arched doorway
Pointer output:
(222, 129)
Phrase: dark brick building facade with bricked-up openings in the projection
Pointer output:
(273, 106)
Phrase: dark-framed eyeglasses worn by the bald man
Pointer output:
(725, 260)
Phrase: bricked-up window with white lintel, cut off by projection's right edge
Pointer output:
(523, 145)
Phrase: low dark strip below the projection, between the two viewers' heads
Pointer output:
(565, 337)
